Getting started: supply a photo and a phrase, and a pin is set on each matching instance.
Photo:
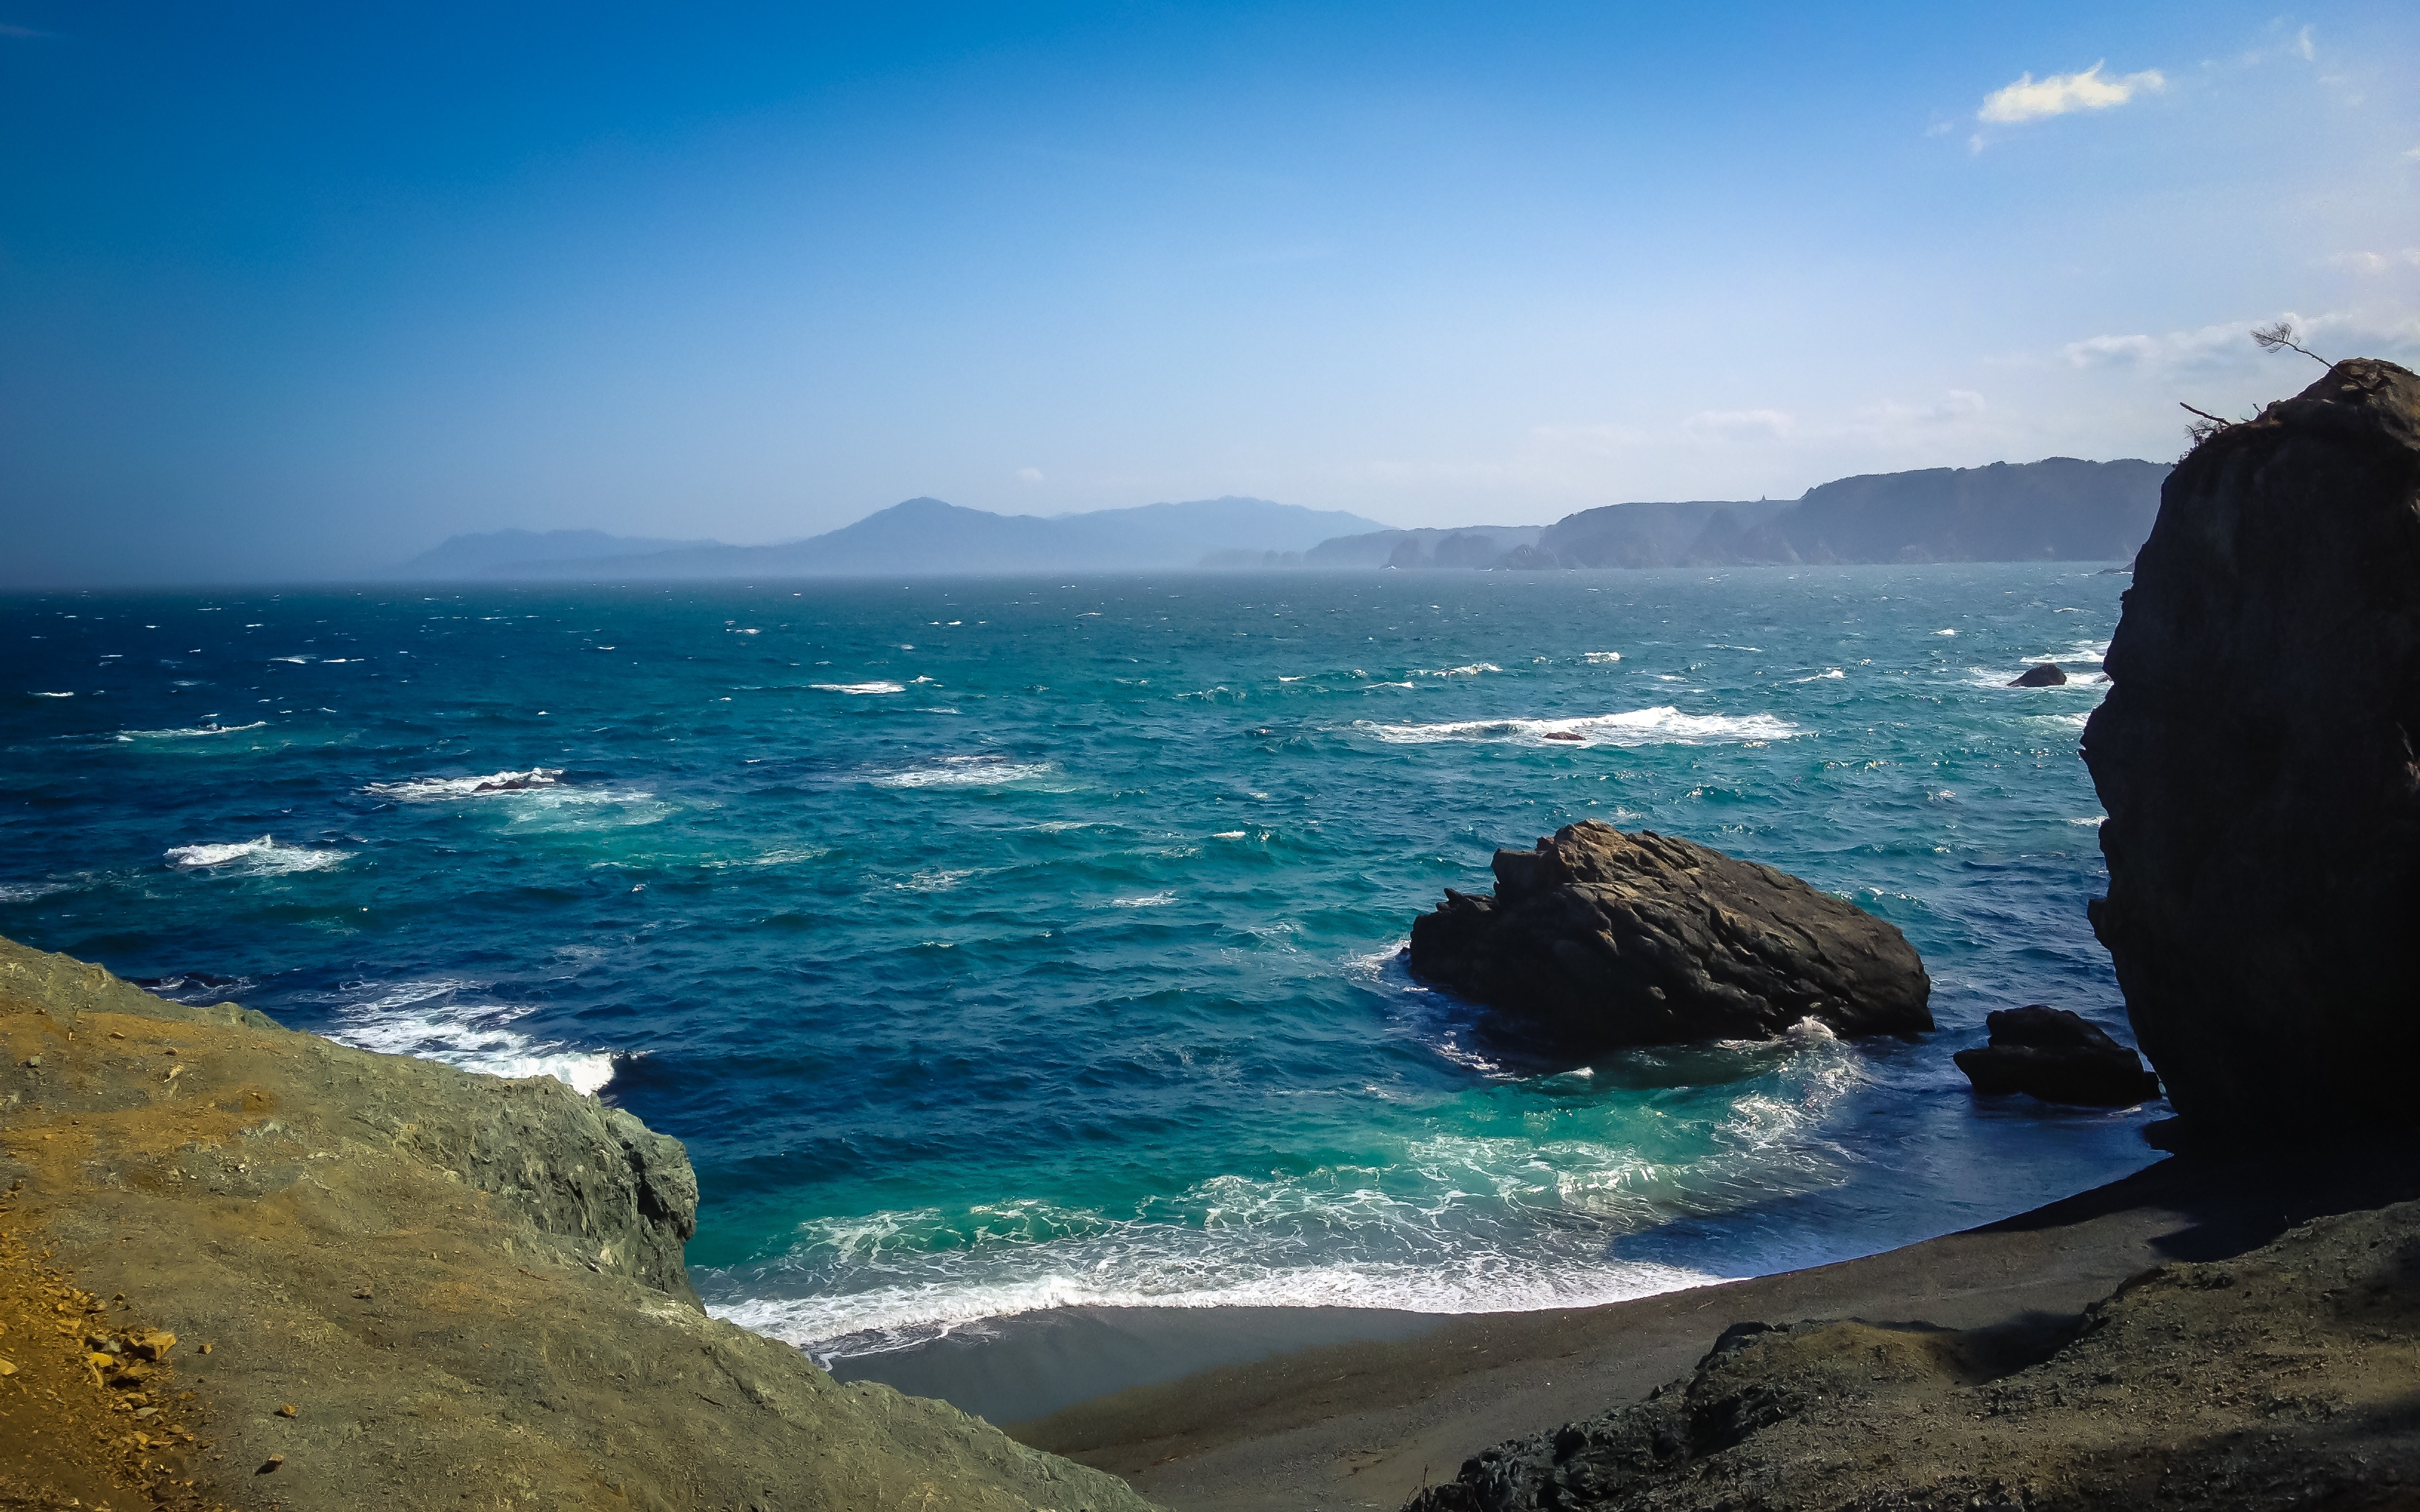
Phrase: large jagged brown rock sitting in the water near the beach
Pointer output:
(1601, 940)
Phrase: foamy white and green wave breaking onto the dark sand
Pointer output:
(1448, 1223)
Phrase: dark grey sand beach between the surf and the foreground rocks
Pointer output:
(1369, 1419)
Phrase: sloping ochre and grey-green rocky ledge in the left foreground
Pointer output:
(466, 1291)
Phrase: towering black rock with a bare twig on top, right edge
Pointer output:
(2257, 758)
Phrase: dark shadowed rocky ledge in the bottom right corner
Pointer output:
(2276, 1380)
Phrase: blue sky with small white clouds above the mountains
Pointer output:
(296, 292)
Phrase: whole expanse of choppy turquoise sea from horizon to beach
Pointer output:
(1020, 942)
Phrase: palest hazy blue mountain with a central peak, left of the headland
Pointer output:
(926, 536)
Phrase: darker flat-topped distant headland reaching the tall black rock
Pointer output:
(2058, 509)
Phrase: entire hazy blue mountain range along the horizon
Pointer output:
(2058, 509)
